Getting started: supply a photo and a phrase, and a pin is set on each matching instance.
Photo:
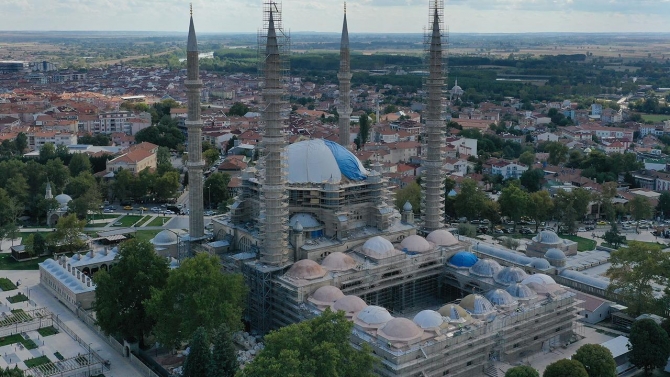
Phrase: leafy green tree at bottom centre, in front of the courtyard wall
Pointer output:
(316, 347)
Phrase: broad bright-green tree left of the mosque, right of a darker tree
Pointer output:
(197, 294)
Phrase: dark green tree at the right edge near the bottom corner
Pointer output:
(650, 346)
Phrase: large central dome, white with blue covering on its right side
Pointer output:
(317, 161)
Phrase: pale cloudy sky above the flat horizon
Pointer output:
(364, 16)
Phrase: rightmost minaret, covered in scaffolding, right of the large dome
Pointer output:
(433, 180)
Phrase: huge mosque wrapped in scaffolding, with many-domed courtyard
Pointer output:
(313, 229)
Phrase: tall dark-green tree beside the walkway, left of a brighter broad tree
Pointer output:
(121, 292)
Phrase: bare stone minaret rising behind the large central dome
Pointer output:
(344, 75)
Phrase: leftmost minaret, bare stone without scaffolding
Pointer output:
(196, 222)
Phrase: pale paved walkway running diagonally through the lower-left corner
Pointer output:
(120, 366)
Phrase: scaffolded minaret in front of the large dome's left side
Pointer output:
(274, 249)
